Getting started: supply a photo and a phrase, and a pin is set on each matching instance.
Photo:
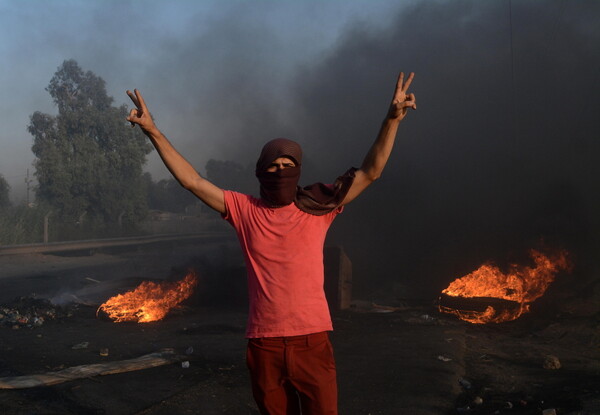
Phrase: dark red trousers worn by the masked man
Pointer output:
(293, 375)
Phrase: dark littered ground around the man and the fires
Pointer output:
(410, 360)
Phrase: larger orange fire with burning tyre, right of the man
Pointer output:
(520, 286)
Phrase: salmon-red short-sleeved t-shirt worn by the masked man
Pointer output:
(283, 249)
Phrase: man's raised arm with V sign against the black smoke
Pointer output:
(380, 151)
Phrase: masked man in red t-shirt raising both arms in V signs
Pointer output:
(282, 235)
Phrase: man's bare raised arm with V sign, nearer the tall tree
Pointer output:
(181, 169)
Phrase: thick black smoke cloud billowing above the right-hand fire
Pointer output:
(500, 155)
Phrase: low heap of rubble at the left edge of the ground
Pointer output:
(30, 312)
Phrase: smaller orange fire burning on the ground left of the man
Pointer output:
(150, 301)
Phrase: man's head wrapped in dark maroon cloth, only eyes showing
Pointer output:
(278, 171)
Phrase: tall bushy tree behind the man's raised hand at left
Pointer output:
(88, 159)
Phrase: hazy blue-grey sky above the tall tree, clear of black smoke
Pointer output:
(160, 47)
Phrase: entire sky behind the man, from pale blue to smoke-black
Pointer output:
(501, 154)
